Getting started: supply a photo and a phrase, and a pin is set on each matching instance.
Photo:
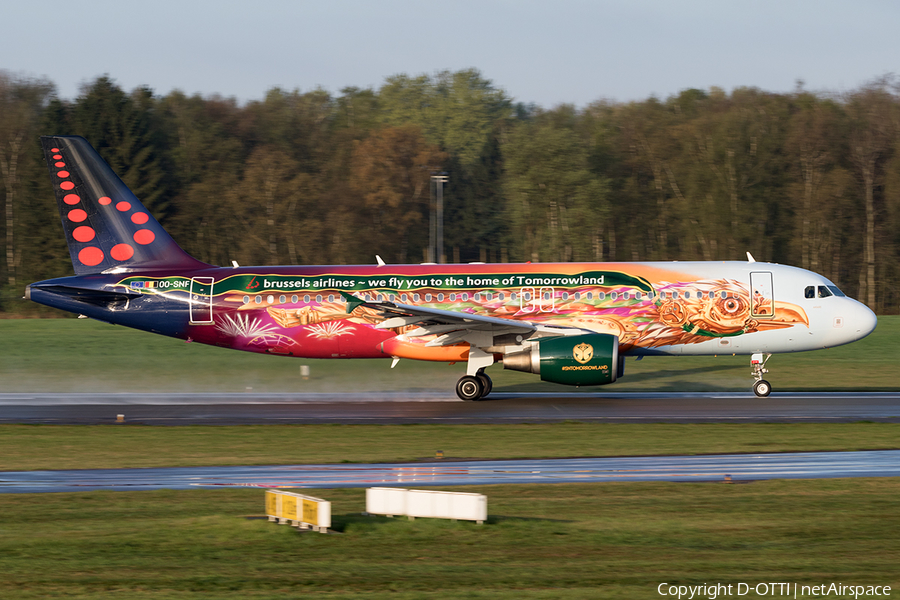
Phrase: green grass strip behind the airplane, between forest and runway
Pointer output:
(69, 355)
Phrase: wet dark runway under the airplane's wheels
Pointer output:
(439, 407)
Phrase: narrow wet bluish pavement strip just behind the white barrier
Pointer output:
(740, 467)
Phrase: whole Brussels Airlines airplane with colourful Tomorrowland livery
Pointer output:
(569, 323)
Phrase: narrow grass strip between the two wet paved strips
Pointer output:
(29, 447)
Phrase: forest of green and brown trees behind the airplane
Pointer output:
(806, 179)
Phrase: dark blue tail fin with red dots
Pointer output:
(106, 226)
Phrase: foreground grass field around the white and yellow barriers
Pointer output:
(563, 541)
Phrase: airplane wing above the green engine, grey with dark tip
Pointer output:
(451, 327)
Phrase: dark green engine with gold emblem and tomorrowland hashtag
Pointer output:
(589, 359)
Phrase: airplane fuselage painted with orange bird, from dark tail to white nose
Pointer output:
(700, 308)
